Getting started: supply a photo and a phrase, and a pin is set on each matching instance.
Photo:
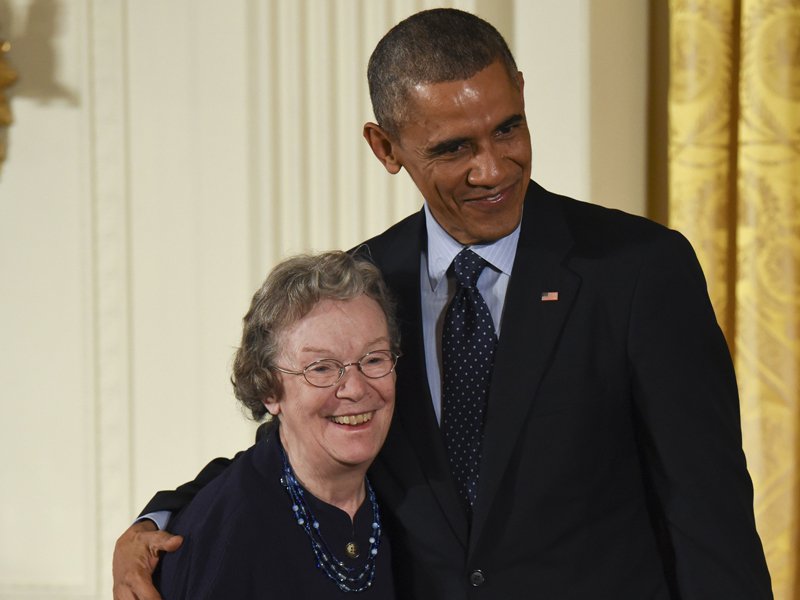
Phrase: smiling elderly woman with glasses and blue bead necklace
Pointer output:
(295, 515)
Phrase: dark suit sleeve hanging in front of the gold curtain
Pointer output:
(687, 404)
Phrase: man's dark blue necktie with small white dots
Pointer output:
(468, 345)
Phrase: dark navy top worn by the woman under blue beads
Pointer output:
(241, 540)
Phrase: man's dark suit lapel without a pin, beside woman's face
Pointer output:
(397, 253)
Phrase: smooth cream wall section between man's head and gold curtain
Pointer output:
(585, 67)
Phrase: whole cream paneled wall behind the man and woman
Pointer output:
(165, 153)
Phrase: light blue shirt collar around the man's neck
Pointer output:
(442, 249)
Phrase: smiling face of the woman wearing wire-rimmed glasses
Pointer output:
(313, 430)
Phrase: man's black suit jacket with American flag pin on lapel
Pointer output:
(612, 463)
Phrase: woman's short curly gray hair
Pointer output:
(289, 293)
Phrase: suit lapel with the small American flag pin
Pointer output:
(530, 330)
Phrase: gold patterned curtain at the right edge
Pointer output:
(734, 191)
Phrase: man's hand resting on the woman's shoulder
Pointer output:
(136, 555)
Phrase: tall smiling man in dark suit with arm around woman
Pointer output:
(609, 460)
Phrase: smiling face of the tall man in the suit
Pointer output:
(467, 147)
